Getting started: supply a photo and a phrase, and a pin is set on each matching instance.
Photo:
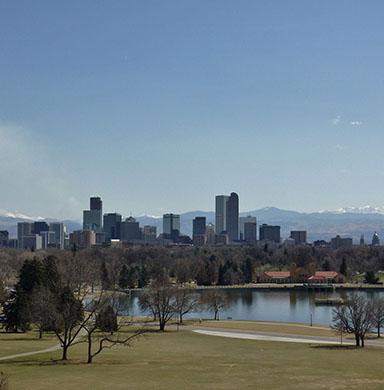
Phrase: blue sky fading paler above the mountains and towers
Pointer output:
(159, 105)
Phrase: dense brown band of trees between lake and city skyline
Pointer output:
(134, 267)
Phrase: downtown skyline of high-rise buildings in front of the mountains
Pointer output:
(111, 229)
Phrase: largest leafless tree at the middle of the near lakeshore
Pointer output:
(159, 299)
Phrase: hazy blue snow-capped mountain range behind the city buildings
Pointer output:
(347, 222)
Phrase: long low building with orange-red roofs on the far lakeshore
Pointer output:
(292, 277)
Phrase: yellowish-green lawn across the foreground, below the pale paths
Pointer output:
(186, 360)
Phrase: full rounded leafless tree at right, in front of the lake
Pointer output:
(355, 317)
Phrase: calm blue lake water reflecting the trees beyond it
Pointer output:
(269, 305)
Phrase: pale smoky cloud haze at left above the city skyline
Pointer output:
(31, 178)
